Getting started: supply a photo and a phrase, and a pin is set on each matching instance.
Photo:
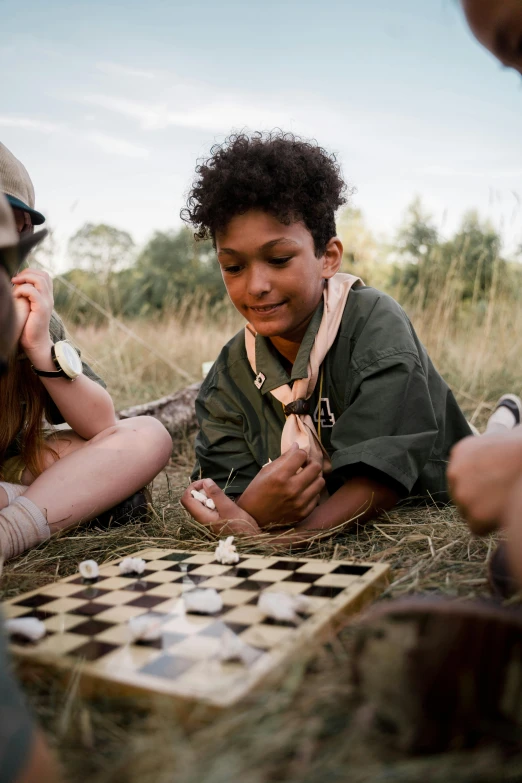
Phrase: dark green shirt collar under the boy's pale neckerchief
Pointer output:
(269, 365)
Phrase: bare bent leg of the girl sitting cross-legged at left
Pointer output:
(92, 476)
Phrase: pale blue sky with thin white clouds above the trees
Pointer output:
(109, 104)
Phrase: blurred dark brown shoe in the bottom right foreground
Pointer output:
(431, 674)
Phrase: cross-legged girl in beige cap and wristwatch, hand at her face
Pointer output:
(51, 480)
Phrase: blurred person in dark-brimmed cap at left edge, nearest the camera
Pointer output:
(24, 755)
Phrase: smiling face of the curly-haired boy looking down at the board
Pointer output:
(272, 274)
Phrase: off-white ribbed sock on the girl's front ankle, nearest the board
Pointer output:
(22, 526)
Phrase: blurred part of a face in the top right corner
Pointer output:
(497, 24)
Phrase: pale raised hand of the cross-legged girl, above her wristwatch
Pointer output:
(36, 288)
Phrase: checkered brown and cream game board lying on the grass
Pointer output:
(87, 624)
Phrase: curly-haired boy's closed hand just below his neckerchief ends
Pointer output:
(279, 495)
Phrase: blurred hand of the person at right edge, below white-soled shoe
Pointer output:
(481, 475)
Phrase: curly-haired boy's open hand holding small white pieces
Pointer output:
(226, 519)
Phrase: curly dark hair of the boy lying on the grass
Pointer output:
(276, 172)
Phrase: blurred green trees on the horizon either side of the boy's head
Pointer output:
(174, 270)
